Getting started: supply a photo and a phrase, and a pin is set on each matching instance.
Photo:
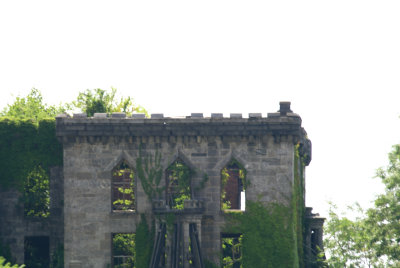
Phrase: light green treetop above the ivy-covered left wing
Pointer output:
(32, 107)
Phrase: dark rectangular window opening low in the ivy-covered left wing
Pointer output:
(37, 251)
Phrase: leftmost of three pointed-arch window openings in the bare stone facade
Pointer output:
(123, 187)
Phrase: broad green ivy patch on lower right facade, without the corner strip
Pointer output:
(268, 235)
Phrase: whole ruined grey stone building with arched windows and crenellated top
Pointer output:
(190, 181)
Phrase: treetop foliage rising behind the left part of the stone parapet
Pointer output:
(101, 101)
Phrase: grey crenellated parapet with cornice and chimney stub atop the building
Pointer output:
(117, 127)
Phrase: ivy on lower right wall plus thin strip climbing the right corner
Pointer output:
(273, 233)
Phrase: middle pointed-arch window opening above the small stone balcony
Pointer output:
(178, 182)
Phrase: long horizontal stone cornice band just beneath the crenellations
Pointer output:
(279, 125)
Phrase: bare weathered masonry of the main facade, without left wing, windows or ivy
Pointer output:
(94, 146)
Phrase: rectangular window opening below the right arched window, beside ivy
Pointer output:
(231, 250)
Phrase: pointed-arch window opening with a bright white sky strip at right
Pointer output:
(233, 186)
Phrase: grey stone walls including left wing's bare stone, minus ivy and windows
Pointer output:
(81, 211)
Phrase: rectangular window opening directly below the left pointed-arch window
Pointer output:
(123, 250)
